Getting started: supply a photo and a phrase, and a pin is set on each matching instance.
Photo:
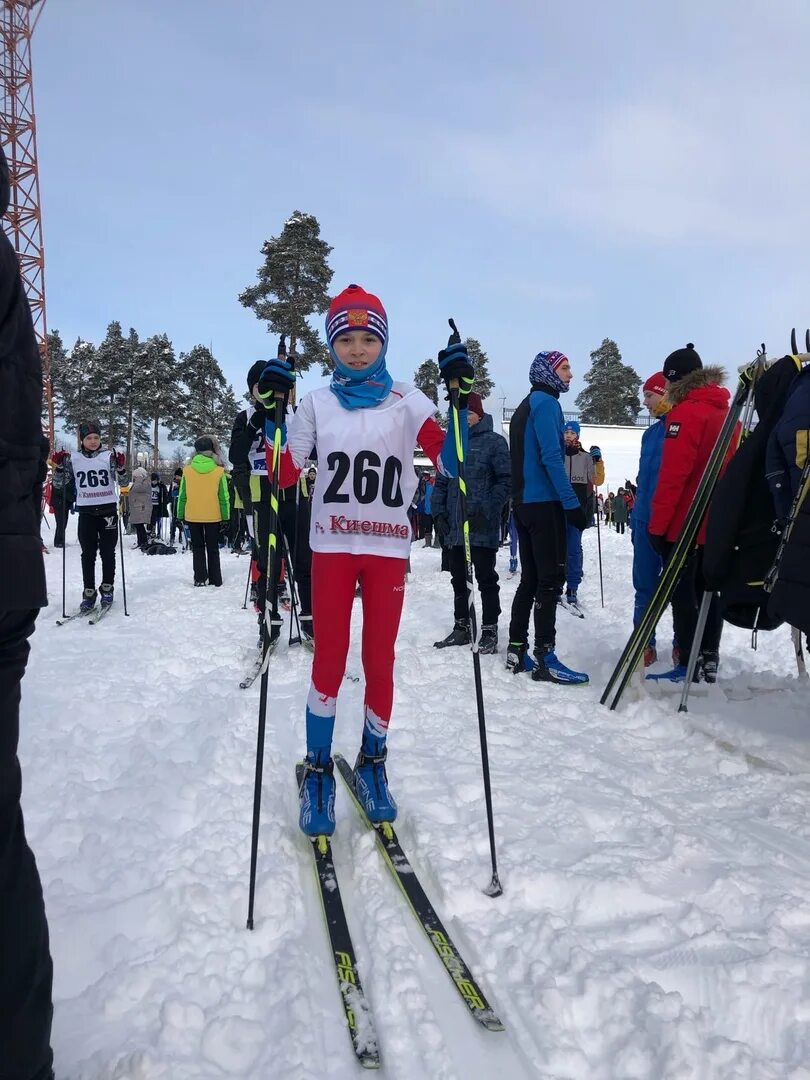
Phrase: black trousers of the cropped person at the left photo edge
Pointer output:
(26, 973)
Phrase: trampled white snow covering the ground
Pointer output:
(655, 924)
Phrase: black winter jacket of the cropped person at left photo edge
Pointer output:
(23, 447)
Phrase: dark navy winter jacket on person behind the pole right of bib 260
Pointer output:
(488, 477)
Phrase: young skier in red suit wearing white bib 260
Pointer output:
(367, 428)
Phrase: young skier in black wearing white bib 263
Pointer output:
(94, 474)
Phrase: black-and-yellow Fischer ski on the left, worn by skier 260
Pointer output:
(356, 1004)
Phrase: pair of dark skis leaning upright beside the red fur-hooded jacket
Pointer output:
(685, 544)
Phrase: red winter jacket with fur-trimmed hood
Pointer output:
(700, 407)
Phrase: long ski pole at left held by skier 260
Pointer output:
(271, 606)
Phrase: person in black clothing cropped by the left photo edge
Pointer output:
(26, 973)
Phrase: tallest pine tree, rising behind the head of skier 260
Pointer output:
(293, 285)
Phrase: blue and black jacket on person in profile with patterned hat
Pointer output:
(538, 452)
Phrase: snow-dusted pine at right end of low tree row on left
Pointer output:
(208, 404)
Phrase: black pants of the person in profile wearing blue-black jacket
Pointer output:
(542, 543)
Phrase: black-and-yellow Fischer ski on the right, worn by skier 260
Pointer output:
(426, 914)
